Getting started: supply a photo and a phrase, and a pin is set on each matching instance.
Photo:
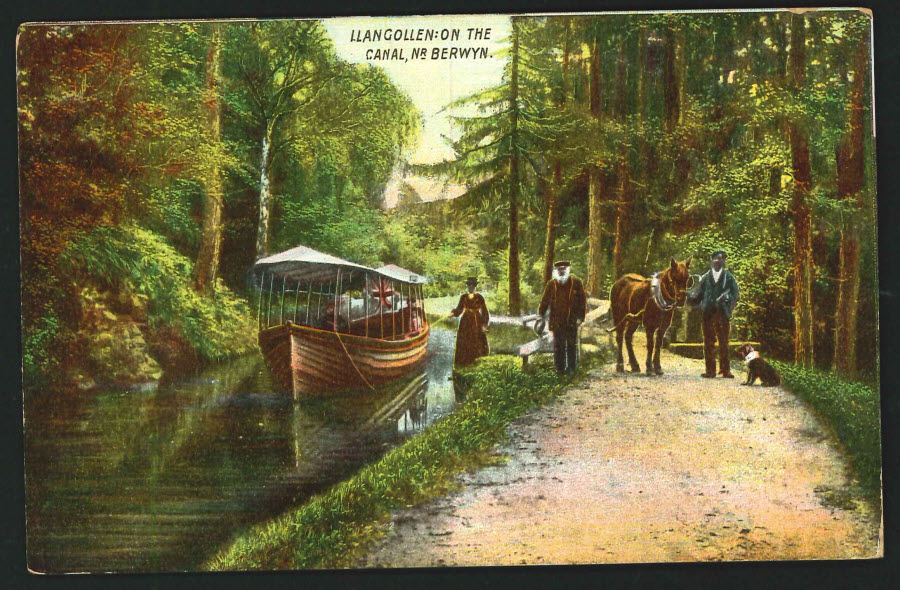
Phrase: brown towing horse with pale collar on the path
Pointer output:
(634, 298)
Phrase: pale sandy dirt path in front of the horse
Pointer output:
(634, 469)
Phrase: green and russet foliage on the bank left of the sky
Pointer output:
(115, 132)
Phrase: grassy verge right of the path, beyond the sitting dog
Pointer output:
(851, 409)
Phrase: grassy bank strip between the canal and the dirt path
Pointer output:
(334, 528)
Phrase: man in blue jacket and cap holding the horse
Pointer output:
(716, 294)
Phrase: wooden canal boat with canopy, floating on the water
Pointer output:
(328, 325)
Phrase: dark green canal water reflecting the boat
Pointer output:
(157, 479)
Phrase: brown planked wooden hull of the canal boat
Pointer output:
(310, 362)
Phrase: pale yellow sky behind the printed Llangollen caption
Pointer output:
(431, 84)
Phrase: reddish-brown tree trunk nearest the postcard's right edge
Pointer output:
(851, 179)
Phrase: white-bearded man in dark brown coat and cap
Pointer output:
(565, 297)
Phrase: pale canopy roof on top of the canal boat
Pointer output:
(305, 264)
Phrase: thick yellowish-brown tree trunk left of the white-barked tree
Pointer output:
(211, 236)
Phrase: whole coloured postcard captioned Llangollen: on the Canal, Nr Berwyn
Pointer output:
(470, 290)
